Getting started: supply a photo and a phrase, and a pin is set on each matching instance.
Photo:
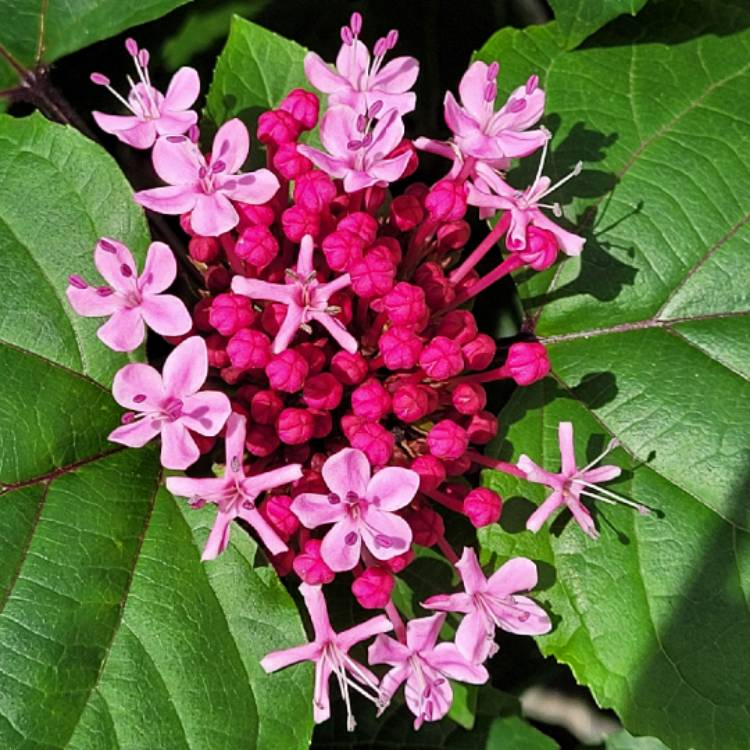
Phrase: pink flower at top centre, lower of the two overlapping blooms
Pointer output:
(357, 154)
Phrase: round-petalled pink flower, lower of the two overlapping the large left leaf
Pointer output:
(170, 404)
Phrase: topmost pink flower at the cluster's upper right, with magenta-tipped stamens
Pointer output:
(480, 132)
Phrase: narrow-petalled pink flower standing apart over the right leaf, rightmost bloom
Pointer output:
(571, 483)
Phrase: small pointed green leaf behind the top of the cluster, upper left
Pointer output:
(254, 72)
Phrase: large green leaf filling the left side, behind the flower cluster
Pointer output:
(113, 634)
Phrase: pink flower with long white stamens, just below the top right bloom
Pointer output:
(491, 193)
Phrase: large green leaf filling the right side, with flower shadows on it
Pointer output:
(649, 340)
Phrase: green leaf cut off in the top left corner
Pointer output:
(66, 27)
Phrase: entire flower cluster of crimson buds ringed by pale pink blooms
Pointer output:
(346, 368)
